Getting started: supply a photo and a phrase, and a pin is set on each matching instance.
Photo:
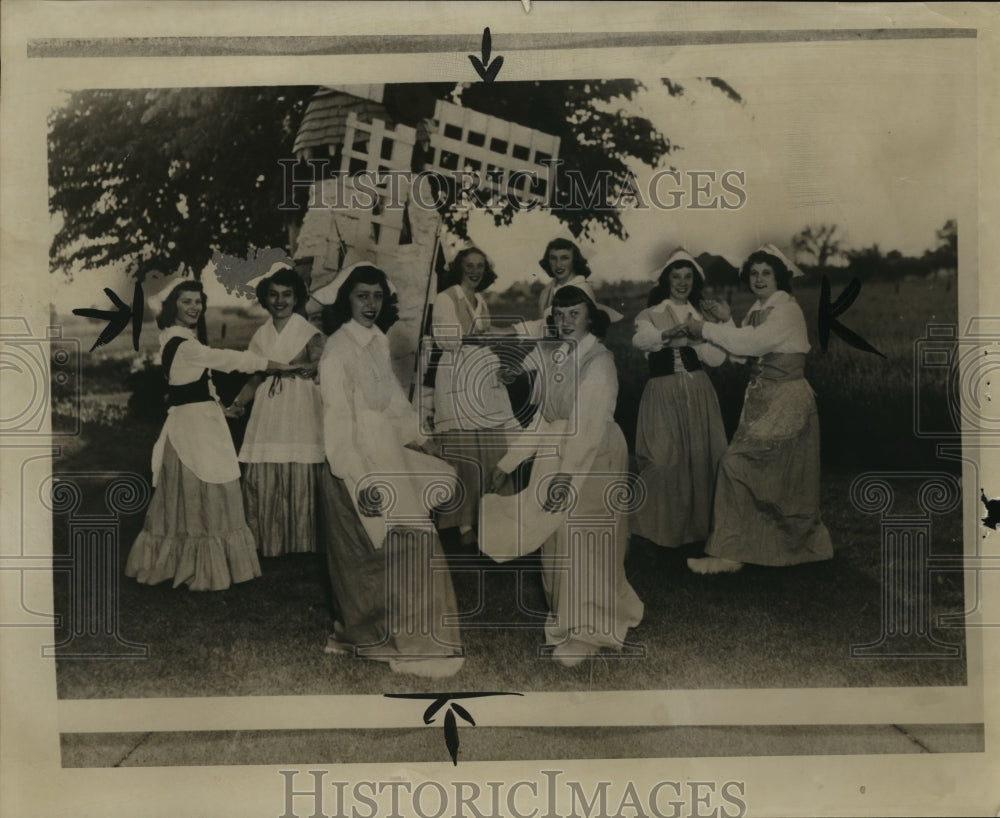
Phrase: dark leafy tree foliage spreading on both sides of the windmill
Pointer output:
(174, 175)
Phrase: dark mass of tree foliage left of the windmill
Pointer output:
(169, 174)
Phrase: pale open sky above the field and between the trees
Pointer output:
(883, 154)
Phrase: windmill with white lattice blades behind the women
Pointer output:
(352, 126)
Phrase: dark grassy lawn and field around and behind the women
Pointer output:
(789, 627)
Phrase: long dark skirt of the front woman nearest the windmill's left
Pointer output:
(391, 603)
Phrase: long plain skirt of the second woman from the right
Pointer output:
(680, 439)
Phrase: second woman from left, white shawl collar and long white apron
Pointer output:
(283, 446)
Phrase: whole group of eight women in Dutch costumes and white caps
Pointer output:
(335, 457)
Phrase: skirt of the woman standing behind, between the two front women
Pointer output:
(474, 454)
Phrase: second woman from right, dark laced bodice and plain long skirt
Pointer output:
(680, 437)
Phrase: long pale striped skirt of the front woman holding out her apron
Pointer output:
(591, 602)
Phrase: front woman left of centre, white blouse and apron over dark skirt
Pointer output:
(390, 580)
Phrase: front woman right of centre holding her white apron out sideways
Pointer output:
(572, 505)
